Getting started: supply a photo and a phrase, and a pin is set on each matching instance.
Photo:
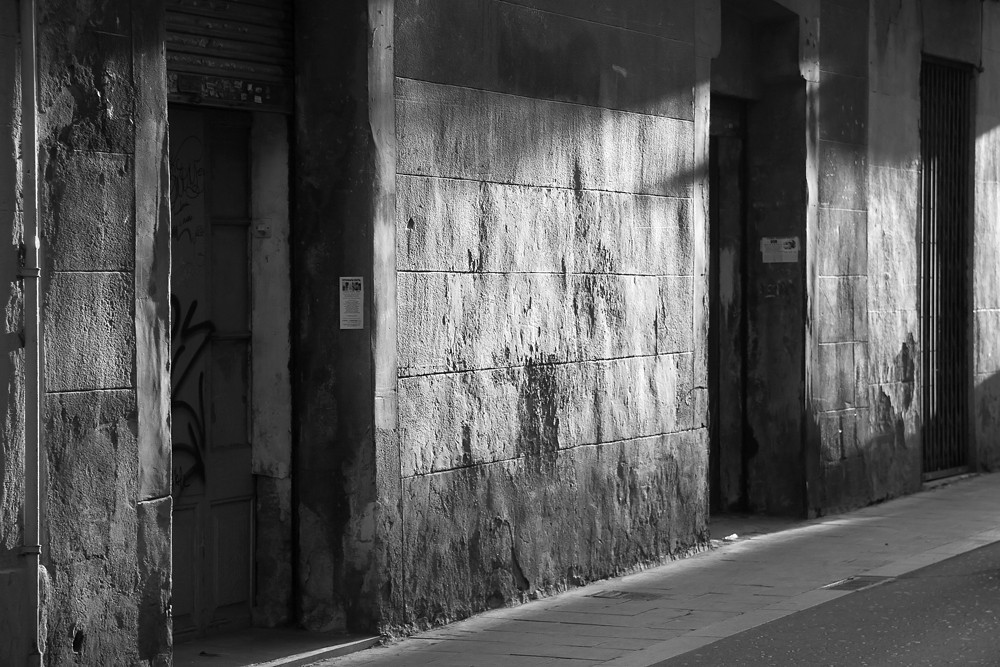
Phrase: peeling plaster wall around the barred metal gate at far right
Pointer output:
(869, 395)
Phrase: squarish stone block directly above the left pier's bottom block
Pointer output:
(89, 332)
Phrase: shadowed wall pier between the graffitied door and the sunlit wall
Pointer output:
(346, 462)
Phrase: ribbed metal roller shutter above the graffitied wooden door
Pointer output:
(230, 53)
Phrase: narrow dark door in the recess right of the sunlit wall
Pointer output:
(727, 317)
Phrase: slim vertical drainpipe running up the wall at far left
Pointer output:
(30, 273)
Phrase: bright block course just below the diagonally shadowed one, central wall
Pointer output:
(461, 225)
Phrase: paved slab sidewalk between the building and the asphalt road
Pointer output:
(647, 617)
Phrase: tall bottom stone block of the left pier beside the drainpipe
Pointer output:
(91, 491)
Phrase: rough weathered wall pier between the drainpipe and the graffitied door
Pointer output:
(104, 225)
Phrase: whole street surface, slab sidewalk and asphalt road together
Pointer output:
(708, 601)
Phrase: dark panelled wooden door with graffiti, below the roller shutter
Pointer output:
(210, 372)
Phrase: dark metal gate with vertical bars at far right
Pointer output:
(946, 145)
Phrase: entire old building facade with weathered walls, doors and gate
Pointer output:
(372, 315)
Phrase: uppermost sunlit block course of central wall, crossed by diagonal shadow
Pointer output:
(478, 135)
